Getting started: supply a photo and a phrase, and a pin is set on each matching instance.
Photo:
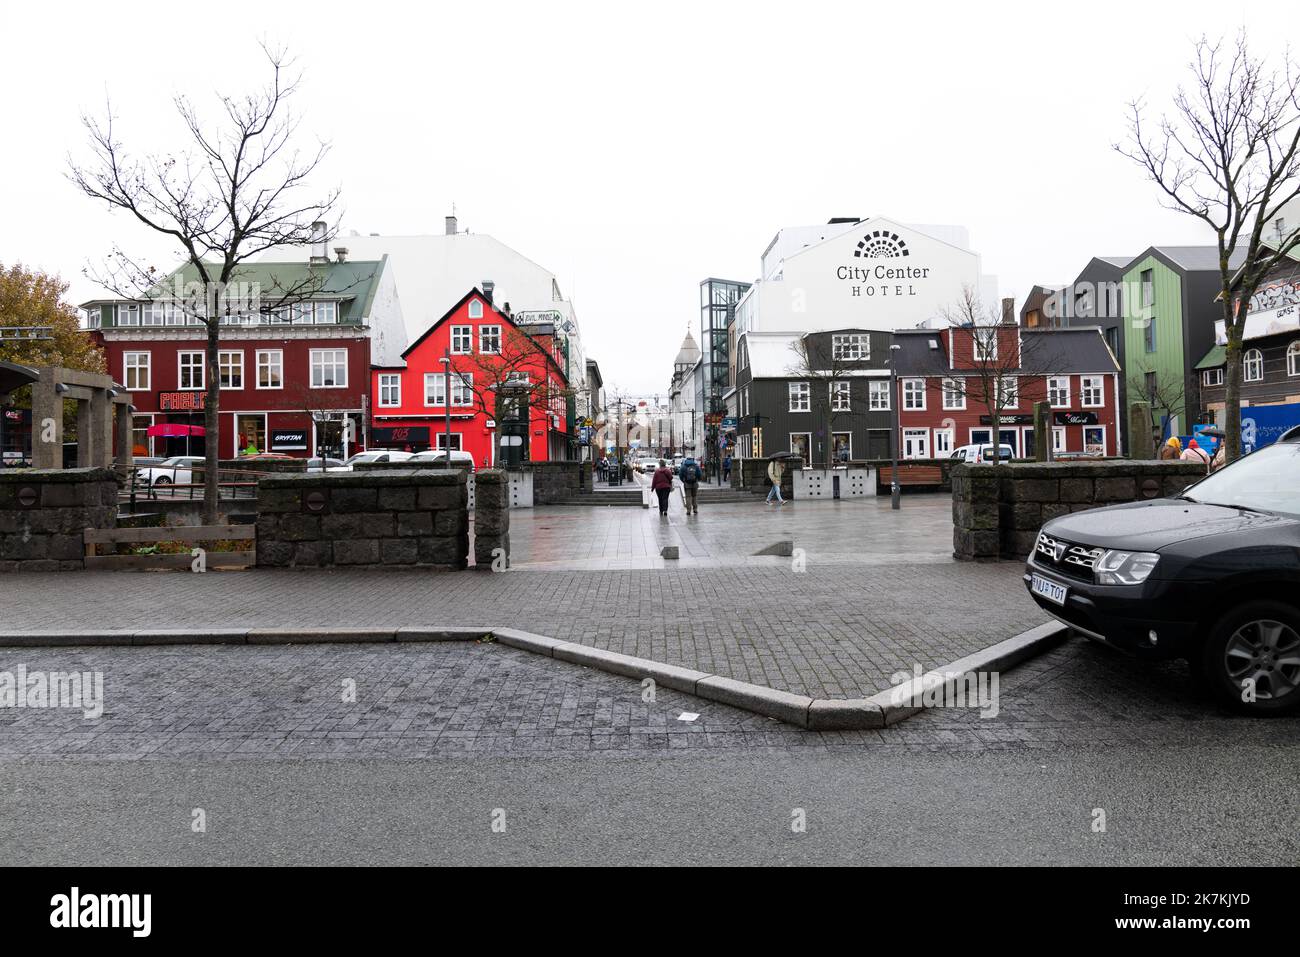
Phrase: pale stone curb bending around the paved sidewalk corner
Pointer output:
(814, 714)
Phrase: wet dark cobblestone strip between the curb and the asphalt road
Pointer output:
(441, 700)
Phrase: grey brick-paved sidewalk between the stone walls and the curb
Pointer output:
(830, 633)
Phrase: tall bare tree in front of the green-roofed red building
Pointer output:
(229, 197)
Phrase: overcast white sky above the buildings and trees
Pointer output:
(638, 149)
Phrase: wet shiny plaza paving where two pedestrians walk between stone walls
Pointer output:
(851, 531)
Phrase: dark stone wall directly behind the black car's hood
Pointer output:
(998, 510)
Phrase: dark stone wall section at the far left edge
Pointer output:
(44, 514)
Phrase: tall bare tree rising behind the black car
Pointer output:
(1229, 157)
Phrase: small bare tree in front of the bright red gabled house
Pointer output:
(523, 366)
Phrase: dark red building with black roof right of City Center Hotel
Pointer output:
(943, 408)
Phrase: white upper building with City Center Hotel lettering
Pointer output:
(852, 274)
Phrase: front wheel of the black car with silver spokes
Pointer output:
(1253, 659)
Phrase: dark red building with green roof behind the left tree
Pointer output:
(294, 380)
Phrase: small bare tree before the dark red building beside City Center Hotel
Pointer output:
(1000, 358)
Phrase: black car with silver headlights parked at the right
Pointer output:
(1212, 577)
